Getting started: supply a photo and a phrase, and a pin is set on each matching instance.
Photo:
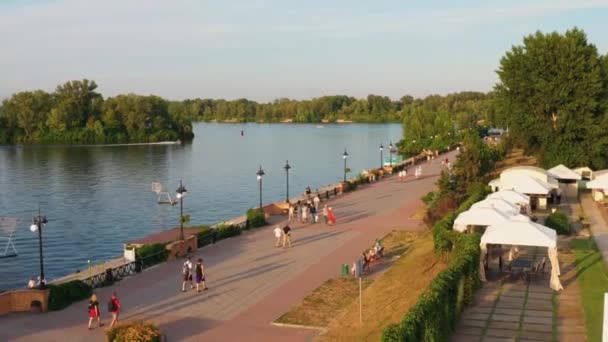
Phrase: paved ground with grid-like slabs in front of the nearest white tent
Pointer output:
(508, 310)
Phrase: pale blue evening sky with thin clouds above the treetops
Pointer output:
(269, 49)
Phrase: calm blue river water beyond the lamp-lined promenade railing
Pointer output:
(96, 198)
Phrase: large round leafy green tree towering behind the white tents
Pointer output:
(552, 94)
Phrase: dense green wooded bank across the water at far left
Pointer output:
(76, 113)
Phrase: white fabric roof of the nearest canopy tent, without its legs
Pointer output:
(520, 232)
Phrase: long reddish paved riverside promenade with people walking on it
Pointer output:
(251, 282)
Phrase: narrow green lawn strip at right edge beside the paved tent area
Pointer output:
(592, 278)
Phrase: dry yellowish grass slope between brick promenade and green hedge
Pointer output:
(389, 297)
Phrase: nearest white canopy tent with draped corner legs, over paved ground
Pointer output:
(518, 232)
